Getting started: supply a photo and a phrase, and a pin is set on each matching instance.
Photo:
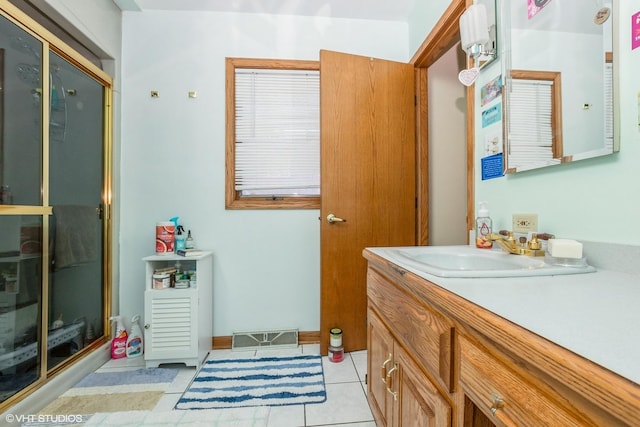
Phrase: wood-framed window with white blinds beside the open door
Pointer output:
(273, 142)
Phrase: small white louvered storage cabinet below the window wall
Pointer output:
(178, 323)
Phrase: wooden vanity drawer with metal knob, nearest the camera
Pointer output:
(505, 396)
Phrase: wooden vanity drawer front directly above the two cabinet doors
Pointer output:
(426, 334)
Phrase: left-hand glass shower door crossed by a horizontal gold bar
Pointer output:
(21, 210)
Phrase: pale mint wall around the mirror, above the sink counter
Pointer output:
(596, 199)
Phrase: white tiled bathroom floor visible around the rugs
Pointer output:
(346, 403)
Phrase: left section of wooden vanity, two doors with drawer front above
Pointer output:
(401, 390)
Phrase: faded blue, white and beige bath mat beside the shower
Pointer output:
(119, 391)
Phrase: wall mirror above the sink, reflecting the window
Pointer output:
(569, 116)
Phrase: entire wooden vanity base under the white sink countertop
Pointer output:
(440, 351)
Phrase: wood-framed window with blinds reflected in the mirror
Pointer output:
(535, 134)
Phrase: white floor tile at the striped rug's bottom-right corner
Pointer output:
(345, 404)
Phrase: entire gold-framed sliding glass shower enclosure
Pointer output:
(54, 201)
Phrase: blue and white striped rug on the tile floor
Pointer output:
(264, 381)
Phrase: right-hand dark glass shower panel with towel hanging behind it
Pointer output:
(76, 176)
